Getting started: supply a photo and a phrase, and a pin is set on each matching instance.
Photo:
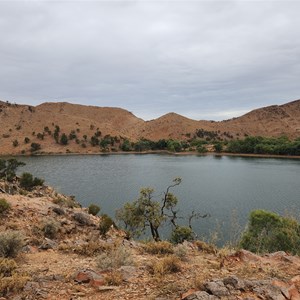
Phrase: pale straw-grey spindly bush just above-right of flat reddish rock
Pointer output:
(114, 259)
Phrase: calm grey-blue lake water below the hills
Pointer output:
(226, 187)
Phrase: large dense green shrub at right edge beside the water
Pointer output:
(269, 232)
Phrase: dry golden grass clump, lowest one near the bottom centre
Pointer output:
(166, 265)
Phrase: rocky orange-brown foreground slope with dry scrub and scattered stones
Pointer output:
(62, 252)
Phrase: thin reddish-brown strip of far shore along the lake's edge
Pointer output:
(162, 152)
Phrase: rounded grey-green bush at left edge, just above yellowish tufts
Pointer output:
(11, 243)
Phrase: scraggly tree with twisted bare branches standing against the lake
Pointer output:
(146, 212)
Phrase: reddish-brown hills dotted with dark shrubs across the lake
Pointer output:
(37, 125)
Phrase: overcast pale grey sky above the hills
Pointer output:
(202, 59)
